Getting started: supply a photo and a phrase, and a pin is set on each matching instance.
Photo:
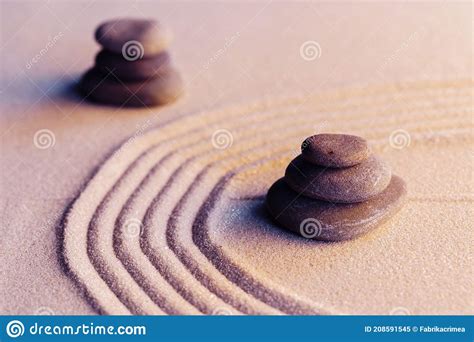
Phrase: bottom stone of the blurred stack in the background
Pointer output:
(105, 88)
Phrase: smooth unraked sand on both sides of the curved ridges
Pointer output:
(234, 55)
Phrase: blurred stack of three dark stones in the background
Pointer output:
(133, 68)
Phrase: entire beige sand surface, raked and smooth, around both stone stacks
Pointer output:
(141, 211)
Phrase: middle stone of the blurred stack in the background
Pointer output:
(124, 69)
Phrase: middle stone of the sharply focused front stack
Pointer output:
(346, 185)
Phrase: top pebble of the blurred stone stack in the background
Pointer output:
(121, 35)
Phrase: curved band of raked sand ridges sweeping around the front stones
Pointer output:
(167, 182)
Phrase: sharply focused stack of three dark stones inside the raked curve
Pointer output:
(336, 189)
